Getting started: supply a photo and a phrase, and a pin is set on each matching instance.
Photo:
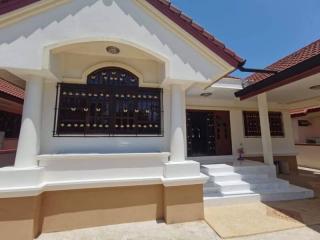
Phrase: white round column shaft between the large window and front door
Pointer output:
(178, 109)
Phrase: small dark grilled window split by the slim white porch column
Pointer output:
(252, 124)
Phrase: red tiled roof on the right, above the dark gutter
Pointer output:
(287, 62)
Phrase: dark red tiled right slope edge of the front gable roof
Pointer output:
(186, 23)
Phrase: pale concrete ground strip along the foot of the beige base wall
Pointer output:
(151, 230)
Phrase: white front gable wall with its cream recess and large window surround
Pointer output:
(33, 46)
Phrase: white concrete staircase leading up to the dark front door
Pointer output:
(247, 181)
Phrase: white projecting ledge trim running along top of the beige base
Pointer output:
(80, 171)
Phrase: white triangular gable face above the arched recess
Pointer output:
(22, 44)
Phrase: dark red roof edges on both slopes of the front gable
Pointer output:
(174, 14)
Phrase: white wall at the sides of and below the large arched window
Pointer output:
(52, 145)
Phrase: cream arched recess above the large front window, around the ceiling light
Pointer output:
(73, 61)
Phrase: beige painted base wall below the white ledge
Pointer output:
(25, 218)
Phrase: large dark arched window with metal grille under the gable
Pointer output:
(110, 104)
